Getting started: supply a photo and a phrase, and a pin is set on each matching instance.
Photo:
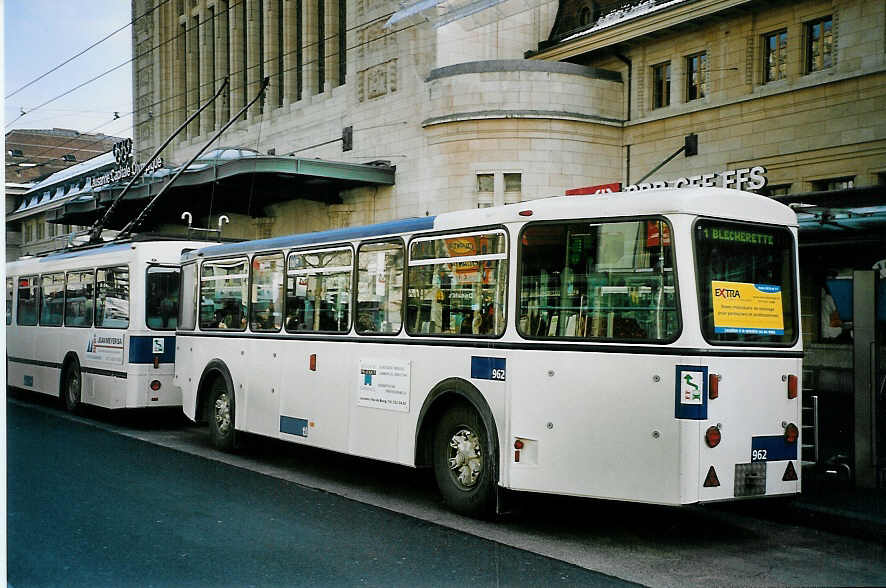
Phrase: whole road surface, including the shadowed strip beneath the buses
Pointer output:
(182, 517)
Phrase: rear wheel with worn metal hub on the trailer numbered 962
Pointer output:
(464, 464)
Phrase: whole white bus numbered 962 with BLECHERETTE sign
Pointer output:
(635, 346)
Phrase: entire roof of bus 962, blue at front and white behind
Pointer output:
(714, 202)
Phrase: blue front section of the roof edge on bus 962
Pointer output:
(407, 225)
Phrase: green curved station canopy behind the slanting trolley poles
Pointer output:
(222, 181)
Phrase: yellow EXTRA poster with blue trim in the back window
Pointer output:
(747, 309)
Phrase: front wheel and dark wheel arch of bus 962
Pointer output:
(216, 403)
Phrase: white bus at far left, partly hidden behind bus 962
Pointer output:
(96, 325)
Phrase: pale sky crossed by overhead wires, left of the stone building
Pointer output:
(41, 34)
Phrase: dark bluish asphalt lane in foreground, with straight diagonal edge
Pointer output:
(88, 507)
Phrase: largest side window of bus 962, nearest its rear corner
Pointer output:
(604, 281)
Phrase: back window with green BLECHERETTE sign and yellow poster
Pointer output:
(746, 283)
